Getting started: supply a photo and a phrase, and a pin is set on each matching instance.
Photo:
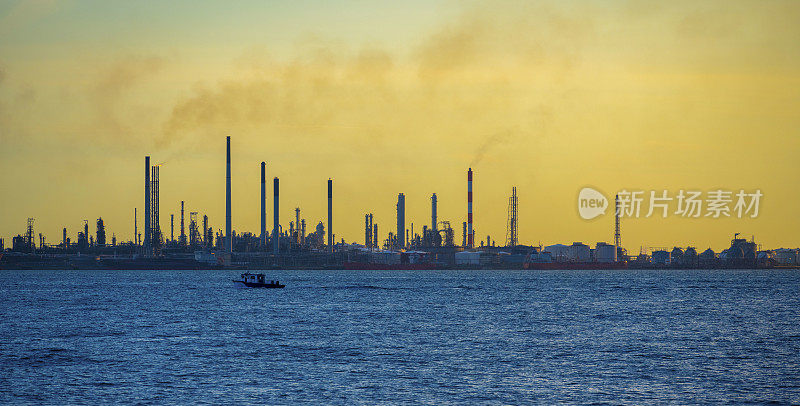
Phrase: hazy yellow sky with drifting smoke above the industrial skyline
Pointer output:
(401, 97)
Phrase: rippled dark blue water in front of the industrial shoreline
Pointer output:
(400, 337)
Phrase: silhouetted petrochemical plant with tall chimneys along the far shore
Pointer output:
(304, 245)
